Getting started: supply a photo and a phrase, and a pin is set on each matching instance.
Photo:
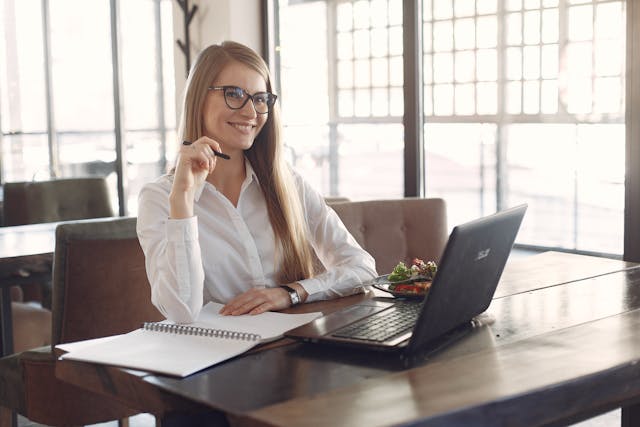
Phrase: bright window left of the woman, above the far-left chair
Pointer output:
(57, 100)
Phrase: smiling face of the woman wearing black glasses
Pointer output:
(234, 129)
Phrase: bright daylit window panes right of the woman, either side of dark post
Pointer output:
(523, 102)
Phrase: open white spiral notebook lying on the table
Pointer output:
(181, 350)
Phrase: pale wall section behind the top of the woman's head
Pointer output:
(214, 22)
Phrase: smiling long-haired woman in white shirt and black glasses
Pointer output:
(243, 230)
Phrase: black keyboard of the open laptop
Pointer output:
(383, 325)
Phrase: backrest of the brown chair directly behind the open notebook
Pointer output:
(100, 285)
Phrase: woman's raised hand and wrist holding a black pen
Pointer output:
(195, 162)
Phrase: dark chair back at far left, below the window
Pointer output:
(56, 200)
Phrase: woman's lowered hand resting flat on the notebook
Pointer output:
(256, 301)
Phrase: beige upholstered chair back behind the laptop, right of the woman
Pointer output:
(397, 230)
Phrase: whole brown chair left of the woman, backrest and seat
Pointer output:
(100, 288)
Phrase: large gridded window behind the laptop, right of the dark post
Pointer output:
(524, 102)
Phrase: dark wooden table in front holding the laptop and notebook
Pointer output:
(565, 346)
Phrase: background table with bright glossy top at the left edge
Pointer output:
(23, 247)
